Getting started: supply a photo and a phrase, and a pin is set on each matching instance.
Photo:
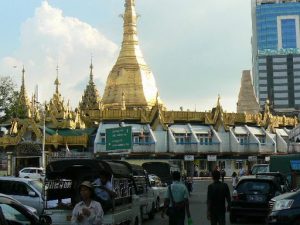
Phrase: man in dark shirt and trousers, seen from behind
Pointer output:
(217, 192)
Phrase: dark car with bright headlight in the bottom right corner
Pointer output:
(285, 209)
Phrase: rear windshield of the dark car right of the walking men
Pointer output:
(253, 186)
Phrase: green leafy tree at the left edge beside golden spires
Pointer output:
(8, 98)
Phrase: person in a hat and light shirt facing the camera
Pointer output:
(88, 211)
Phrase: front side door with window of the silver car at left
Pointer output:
(20, 191)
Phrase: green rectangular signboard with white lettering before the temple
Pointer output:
(118, 138)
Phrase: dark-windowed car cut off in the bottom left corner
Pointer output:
(14, 212)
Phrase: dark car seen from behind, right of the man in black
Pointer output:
(252, 195)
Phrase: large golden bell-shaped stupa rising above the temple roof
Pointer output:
(130, 77)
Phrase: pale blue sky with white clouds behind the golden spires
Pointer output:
(196, 49)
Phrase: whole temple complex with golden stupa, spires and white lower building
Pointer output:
(131, 98)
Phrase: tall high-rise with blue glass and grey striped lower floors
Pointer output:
(276, 53)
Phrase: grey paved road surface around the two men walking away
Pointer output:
(198, 208)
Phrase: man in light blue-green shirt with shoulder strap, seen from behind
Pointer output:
(176, 203)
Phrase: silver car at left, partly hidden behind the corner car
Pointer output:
(26, 191)
